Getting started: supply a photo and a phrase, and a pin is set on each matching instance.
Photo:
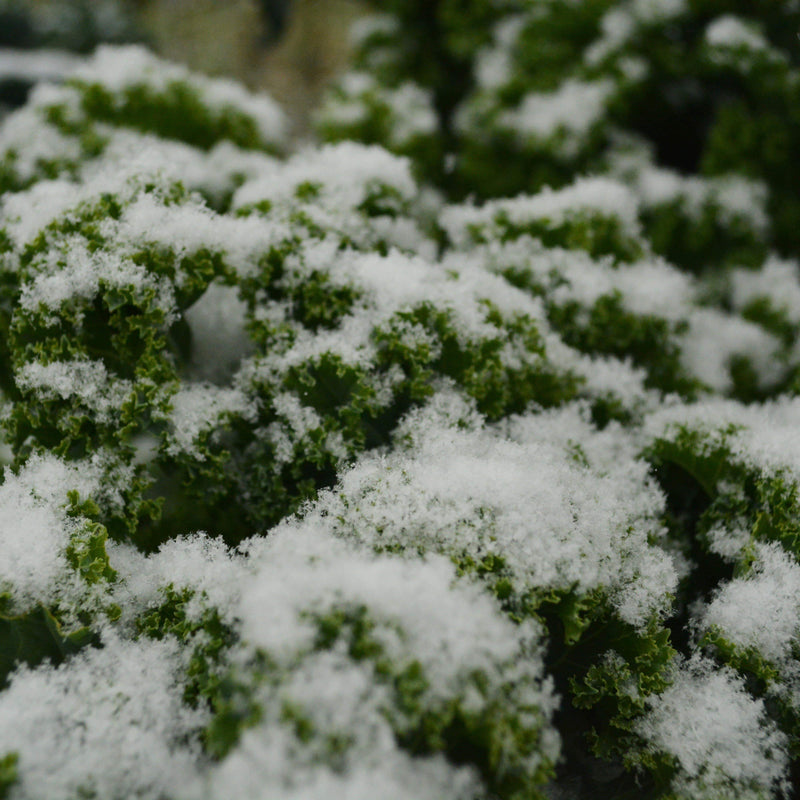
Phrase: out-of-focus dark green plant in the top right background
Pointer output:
(701, 109)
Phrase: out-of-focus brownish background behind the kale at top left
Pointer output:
(290, 48)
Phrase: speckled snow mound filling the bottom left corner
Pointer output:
(109, 722)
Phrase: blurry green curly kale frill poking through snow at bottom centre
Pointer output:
(493, 737)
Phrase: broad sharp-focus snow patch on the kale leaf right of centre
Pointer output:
(554, 522)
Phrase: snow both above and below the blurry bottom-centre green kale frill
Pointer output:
(418, 615)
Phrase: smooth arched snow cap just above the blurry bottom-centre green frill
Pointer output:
(453, 630)
